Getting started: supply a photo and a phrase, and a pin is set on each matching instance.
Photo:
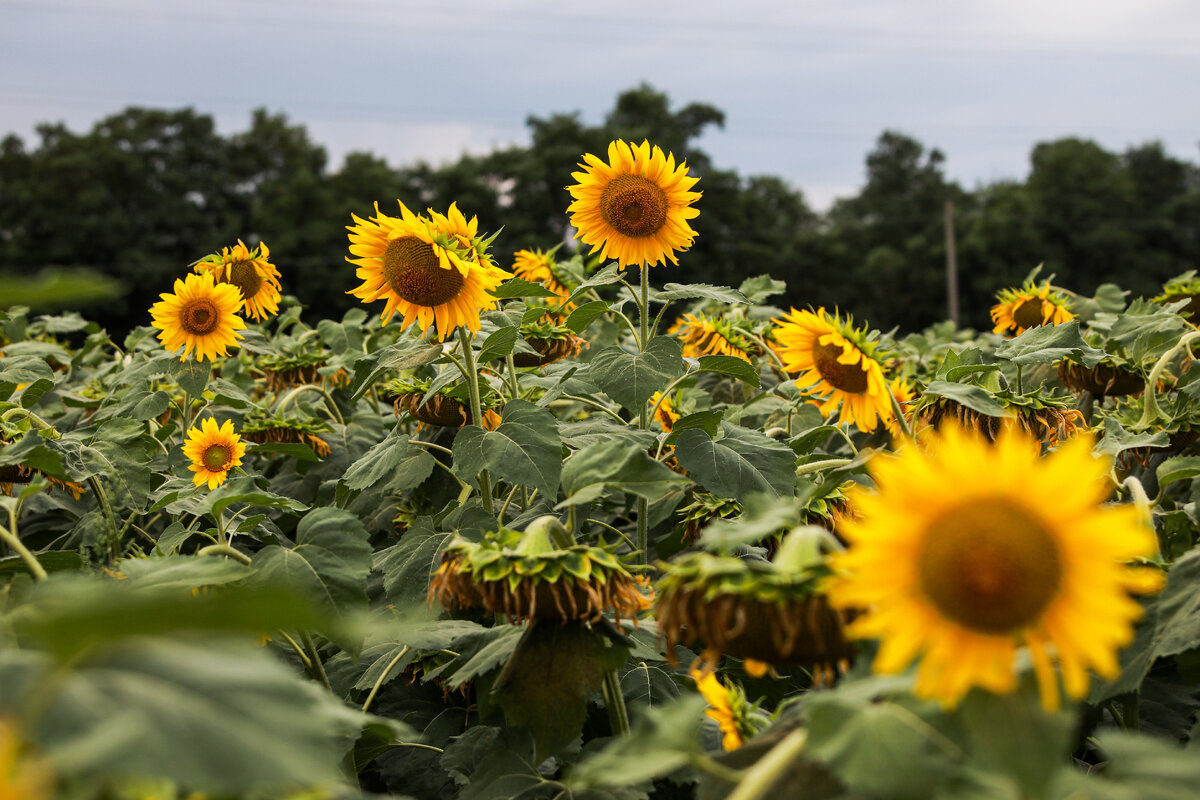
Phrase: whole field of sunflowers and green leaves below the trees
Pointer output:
(565, 526)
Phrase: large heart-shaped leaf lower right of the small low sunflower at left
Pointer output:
(329, 563)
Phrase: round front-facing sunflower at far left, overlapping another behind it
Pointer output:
(202, 316)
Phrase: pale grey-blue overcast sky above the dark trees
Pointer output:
(807, 86)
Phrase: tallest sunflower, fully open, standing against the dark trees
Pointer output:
(637, 207)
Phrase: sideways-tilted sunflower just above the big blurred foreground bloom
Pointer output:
(837, 362)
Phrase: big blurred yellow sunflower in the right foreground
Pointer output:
(970, 551)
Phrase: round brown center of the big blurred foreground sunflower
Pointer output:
(989, 567)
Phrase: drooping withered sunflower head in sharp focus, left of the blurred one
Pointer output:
(529, 576)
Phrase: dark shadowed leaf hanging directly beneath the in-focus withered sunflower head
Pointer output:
(544, 688)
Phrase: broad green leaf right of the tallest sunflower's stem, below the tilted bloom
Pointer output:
(740, 464)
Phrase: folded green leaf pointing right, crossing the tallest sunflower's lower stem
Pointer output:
(621, 466)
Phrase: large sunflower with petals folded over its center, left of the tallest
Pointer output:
(434, 270)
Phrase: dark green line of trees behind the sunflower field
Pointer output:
(146, 193)
